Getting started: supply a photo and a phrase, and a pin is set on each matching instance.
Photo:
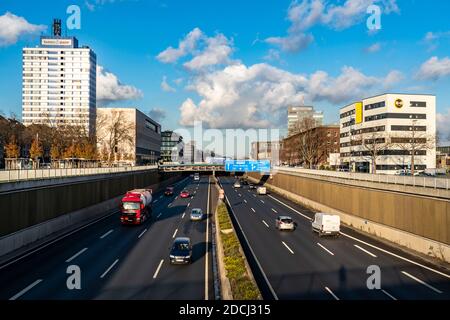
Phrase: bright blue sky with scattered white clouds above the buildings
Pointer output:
(244, 50)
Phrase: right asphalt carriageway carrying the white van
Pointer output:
(300, 265)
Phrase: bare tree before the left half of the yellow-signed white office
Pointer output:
(373, 144)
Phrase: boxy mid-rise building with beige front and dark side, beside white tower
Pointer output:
(127, 136)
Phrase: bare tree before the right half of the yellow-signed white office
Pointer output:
(415, 143)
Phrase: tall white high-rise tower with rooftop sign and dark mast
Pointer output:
(59, 83)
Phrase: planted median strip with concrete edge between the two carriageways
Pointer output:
(236, 278)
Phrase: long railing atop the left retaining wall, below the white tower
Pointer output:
(33, 174)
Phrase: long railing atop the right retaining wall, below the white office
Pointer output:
(415, 181)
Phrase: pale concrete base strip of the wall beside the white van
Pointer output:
(422, 245)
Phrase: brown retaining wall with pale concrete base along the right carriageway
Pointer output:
(355, 206)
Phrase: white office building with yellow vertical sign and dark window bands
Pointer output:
(384, 131)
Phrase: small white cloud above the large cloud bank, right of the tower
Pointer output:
(204, 51)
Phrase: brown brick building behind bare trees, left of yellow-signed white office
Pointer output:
(313, 147)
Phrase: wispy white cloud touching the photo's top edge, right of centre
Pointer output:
(308, 13)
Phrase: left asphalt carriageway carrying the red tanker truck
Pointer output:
(122, 262)
